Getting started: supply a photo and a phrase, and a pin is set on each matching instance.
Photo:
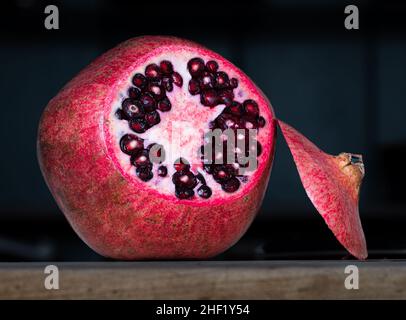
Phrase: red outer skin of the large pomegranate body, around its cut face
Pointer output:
(114, 217)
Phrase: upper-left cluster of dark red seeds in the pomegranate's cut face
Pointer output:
(148, 96)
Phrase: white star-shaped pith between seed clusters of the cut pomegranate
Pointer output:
(182, 138)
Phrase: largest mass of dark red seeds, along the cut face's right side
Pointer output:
(216, 88)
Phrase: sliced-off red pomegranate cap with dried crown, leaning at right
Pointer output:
(333, 190)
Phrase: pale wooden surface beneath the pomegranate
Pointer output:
(205, 280)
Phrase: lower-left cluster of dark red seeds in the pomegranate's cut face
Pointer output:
(140, 156)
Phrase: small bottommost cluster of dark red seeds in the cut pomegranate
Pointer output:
(185, 181)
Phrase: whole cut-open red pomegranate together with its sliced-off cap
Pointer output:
(162, 149)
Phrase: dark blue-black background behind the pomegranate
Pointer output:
(344, 89)
